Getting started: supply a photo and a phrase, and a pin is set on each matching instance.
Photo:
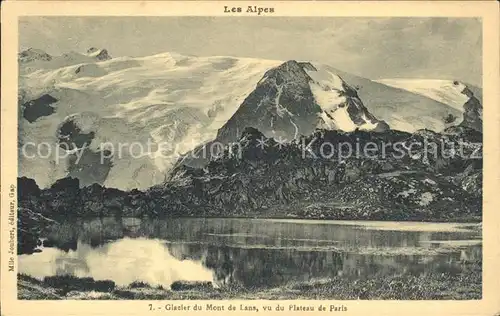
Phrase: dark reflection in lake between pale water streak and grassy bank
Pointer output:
(257, 267)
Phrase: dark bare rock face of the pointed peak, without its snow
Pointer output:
(282, 105)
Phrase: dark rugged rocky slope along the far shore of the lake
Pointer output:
(288, 180)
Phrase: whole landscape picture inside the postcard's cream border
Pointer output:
(249, 158)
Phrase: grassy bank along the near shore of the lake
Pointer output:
(465, 285)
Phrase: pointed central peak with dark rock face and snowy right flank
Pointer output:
(295, 98)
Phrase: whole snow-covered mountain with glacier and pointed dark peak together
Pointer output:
(94, 102)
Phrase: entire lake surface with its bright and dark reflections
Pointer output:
(246, 252)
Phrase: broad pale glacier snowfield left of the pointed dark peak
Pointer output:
(175, 100)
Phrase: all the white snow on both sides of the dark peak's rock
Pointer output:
(179, 102)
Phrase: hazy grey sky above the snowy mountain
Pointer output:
(375, 48)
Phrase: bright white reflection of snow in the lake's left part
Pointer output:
(123, 261)
